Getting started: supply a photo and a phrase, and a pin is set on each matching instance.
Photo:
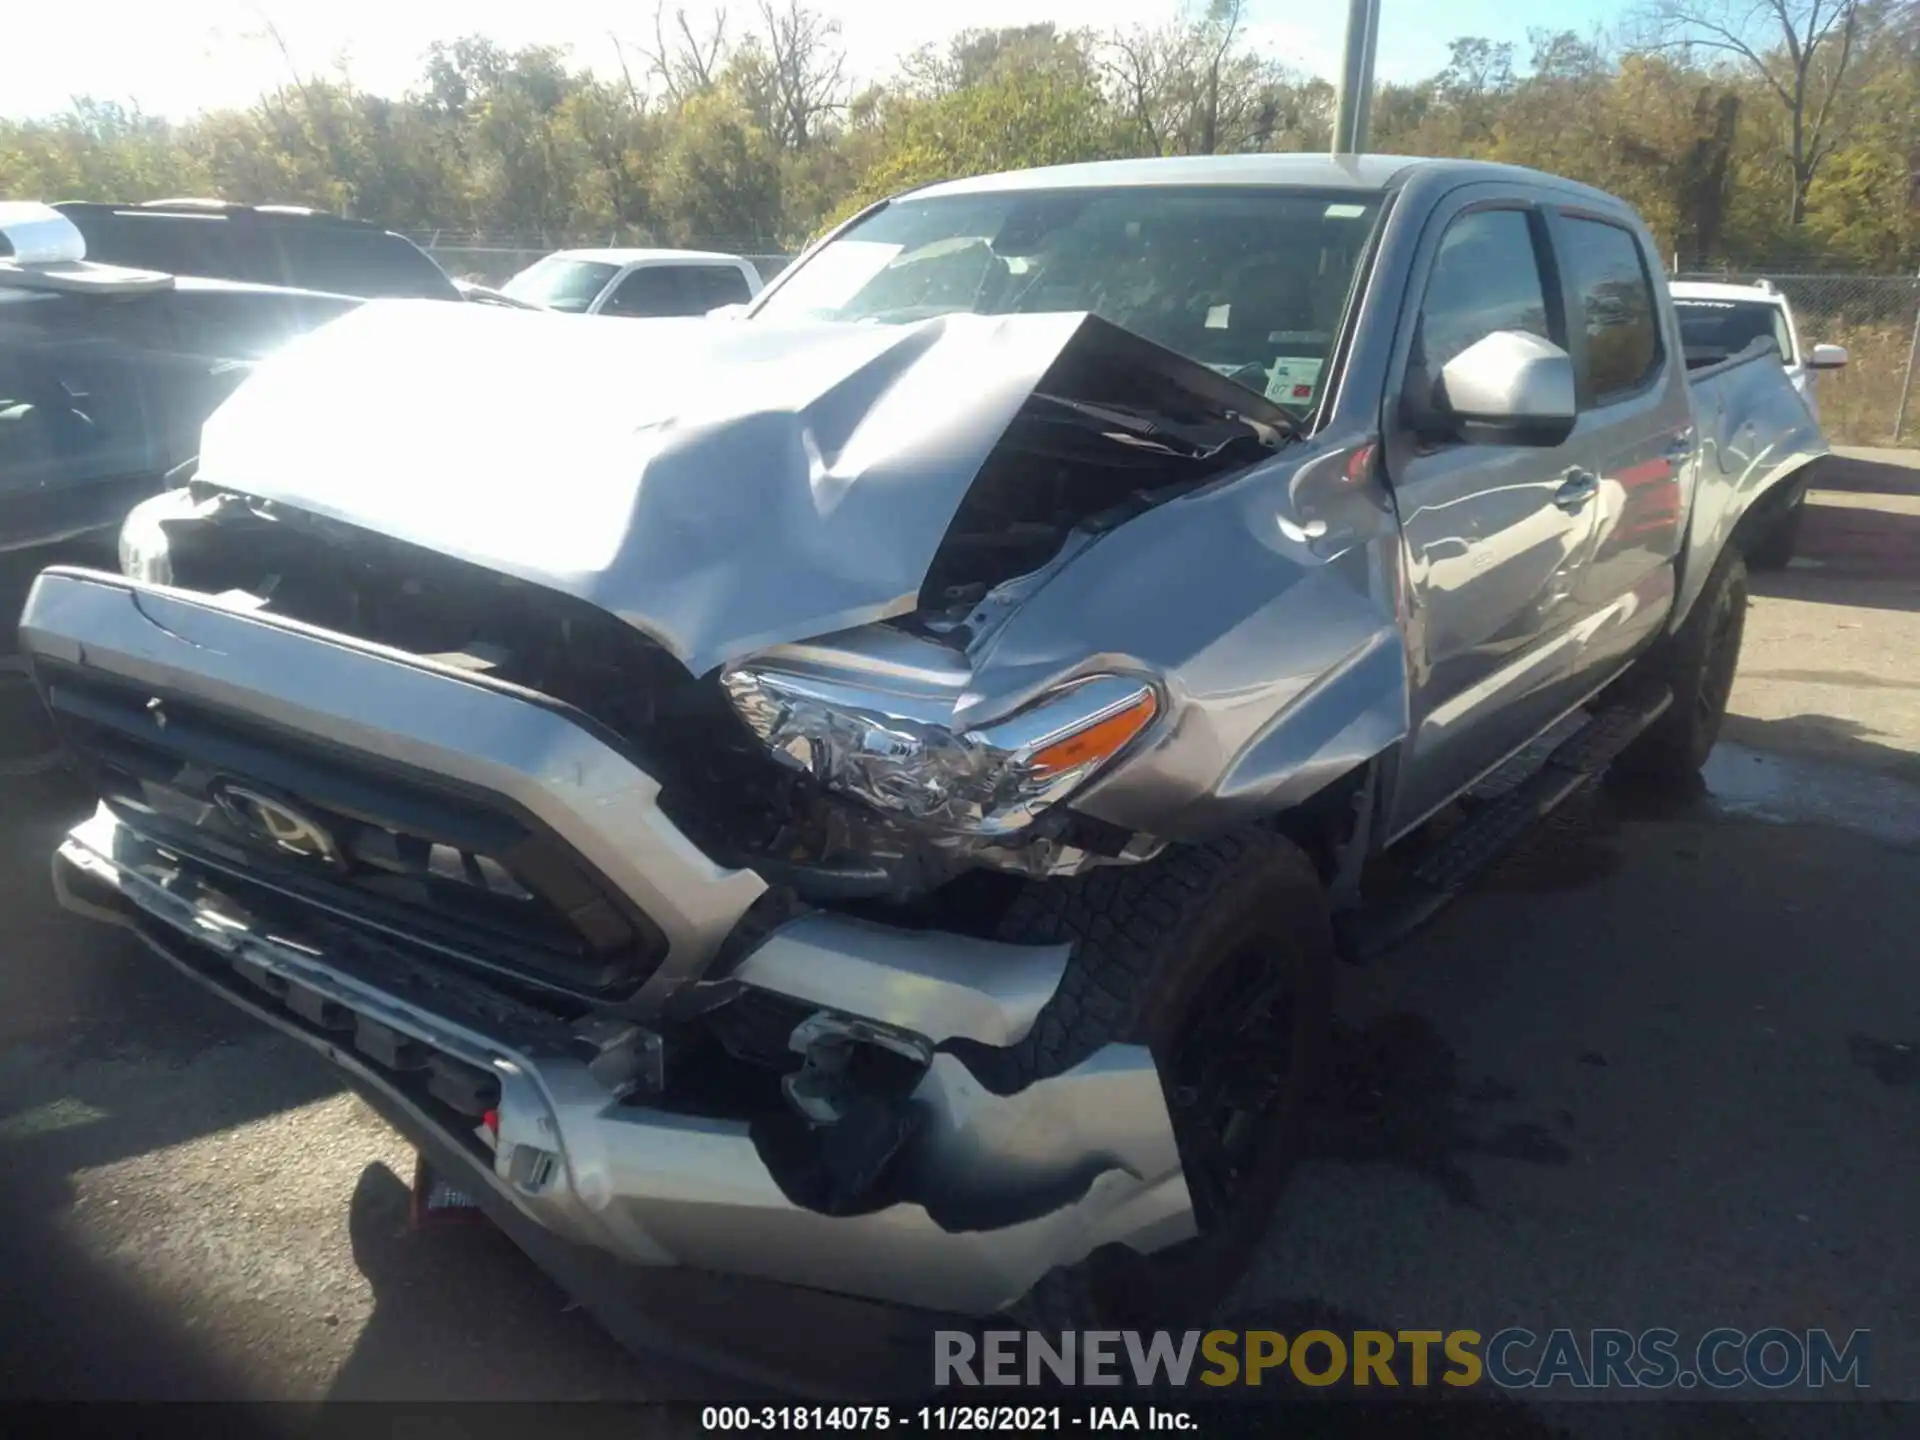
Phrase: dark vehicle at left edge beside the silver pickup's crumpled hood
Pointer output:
(108, 373)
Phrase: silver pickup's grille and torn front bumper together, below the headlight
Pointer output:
(727, 1082)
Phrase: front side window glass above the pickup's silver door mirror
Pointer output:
(1485, 279)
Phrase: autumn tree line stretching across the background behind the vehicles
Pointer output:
(1746, 132)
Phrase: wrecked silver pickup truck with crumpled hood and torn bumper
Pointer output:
(871, 794)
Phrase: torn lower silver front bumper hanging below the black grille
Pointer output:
(673, 1189)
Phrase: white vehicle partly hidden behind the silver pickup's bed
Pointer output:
(1723, 320)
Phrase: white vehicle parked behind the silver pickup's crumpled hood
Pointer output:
(636, 283)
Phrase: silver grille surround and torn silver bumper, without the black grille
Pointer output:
(596, 1141)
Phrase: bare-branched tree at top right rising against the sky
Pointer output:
(1798, 49)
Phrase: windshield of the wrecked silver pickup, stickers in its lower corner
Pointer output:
(1247, 281)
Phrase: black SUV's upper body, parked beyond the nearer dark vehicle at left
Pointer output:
(266, 245)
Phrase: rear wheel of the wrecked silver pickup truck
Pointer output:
(1698, 663)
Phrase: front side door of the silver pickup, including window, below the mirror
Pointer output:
(1497, 535)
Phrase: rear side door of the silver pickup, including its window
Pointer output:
(1635, 437)
